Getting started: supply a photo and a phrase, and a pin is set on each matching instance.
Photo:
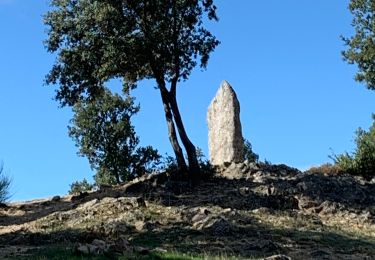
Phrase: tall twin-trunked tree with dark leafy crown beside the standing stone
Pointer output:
(99, 40)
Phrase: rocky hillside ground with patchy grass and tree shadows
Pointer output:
(254, 211)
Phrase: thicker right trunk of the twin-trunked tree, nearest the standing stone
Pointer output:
(191, 151)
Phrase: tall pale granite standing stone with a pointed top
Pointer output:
(225, 139)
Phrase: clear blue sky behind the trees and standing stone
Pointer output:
(298, 98)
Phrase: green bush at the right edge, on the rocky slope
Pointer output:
(362, 160)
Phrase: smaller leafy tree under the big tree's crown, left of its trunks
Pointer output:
(104, 134)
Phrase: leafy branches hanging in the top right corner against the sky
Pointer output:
(361, 46)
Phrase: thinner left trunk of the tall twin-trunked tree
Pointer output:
(182, 167)
